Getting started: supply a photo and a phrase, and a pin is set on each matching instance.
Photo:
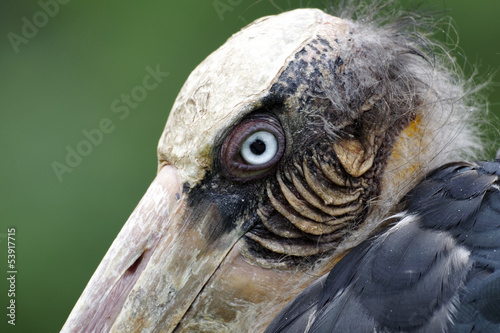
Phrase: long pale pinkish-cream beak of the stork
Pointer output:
(162, 273)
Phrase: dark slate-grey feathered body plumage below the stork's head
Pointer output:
(436, 267)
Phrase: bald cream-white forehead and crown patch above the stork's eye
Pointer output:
(233, 80)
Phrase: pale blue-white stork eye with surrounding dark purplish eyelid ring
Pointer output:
(253, 148)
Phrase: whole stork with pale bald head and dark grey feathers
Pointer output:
(310, 155)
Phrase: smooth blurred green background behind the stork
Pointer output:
(64, 79)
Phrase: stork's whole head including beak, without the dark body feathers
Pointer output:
(285, 148)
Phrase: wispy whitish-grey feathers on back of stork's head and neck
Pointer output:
(445, 126)
